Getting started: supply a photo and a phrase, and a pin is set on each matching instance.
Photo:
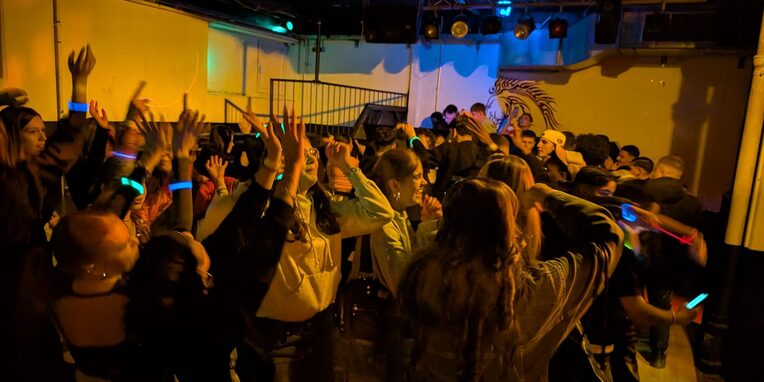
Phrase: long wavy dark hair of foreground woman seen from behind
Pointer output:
(467, 280)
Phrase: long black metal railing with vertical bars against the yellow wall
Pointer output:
(328, 107)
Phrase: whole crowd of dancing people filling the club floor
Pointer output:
(463, 252)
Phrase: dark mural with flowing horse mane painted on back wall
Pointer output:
(524, 97)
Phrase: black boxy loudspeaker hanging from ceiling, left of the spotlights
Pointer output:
(390, 24)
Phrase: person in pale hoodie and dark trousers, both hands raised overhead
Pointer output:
(291, 336)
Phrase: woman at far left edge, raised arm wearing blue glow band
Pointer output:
(31, 167)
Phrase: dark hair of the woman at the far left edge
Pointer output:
(13, 118)
